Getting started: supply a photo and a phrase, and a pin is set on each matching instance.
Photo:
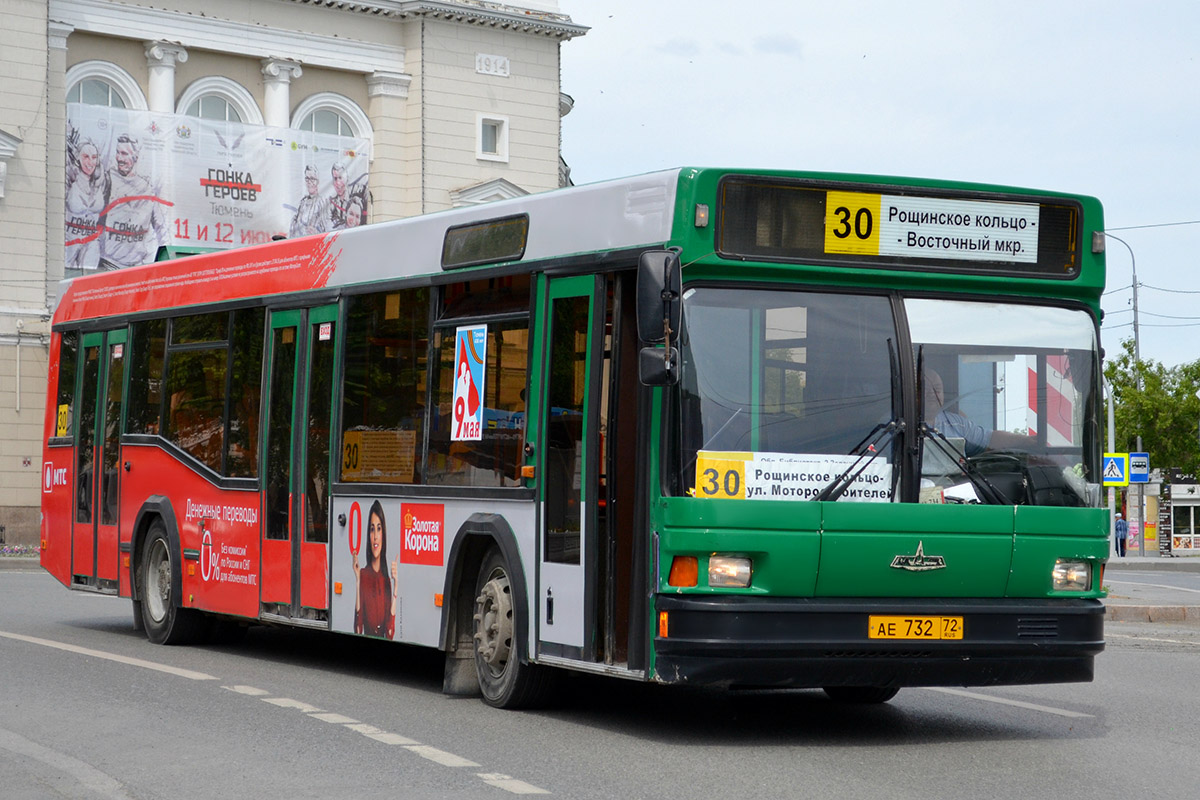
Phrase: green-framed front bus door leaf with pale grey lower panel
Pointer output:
(568, 467)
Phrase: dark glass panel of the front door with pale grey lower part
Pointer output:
(565, 429)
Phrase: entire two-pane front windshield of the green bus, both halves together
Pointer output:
(800, 387)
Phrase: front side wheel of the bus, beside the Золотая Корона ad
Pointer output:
(505, 682)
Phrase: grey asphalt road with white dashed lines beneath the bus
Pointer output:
(91, 709)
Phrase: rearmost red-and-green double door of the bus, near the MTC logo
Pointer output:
(94, 532)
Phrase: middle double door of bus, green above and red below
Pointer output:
(296, 531)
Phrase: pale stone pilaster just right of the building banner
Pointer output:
(392, 160)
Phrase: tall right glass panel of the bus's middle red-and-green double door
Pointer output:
(321, 386)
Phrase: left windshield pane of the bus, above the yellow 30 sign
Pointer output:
(806, 377)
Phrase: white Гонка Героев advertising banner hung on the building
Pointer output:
(140, 181)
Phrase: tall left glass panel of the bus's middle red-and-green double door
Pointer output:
(279, 444)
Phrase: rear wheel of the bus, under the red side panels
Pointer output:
(164, 619)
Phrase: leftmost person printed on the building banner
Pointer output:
(87, 194)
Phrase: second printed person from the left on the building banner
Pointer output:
(136, 226)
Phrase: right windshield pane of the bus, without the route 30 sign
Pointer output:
(1007, 388)
